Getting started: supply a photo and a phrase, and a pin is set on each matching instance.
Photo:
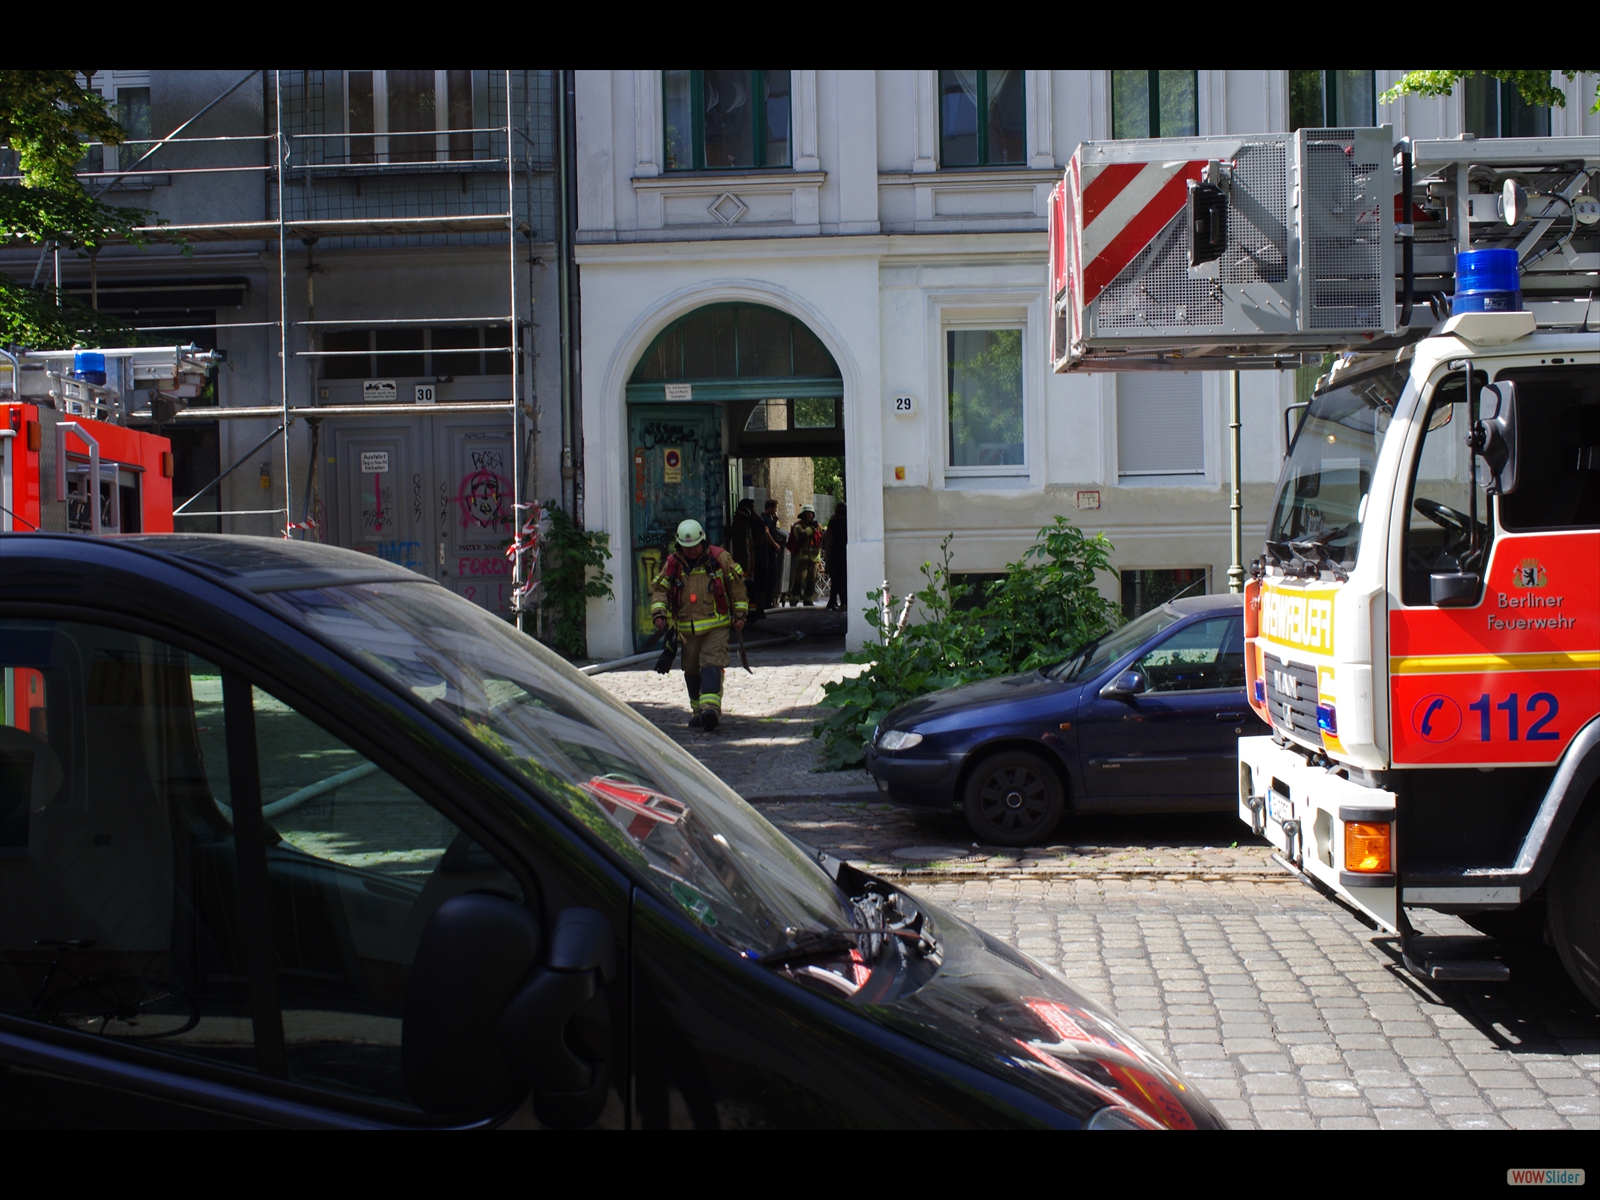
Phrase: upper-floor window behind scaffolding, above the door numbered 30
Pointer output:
(414, 116)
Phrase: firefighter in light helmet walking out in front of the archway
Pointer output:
(700, 594)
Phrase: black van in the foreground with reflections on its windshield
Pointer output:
(290, 836)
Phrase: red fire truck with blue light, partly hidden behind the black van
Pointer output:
(70, 462)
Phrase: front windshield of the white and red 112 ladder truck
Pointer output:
(1322, 492)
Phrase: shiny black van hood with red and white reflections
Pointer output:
(999, 1010)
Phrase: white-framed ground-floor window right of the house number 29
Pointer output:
(985, 401)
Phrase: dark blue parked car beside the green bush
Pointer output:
(1145, 719)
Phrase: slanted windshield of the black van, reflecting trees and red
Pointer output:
(623, 782)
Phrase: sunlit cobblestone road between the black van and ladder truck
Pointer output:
(1287, 1014)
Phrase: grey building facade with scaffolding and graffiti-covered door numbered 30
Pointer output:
(378, 255)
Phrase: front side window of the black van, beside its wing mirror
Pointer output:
(358, 863)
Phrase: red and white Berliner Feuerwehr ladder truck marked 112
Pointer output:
(1423, 623)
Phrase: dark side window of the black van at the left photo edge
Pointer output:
(119, 911)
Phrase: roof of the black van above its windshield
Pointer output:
(270, 564)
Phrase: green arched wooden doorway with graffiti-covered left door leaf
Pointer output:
(722, 386)
